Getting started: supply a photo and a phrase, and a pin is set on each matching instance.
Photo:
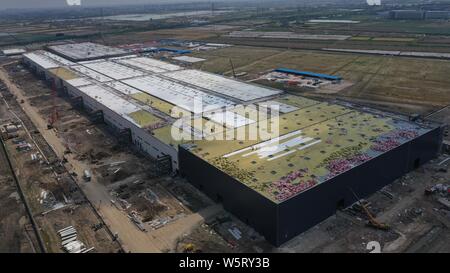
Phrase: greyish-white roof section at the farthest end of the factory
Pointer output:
(88, 50)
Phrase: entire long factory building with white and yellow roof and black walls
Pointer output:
(327, 155)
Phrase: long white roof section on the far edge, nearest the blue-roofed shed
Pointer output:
(221, 85)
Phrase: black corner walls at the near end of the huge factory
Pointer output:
(279, 223)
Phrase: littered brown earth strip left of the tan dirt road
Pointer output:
(52, 196)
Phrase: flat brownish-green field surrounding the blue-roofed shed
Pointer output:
(413, 85)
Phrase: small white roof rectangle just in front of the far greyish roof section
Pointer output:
(114, 70)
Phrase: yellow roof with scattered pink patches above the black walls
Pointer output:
(315, 143)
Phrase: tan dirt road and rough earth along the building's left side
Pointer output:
(181, 219)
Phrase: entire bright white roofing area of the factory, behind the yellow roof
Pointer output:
(111, 80)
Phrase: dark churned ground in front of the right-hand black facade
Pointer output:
(418, 222)
